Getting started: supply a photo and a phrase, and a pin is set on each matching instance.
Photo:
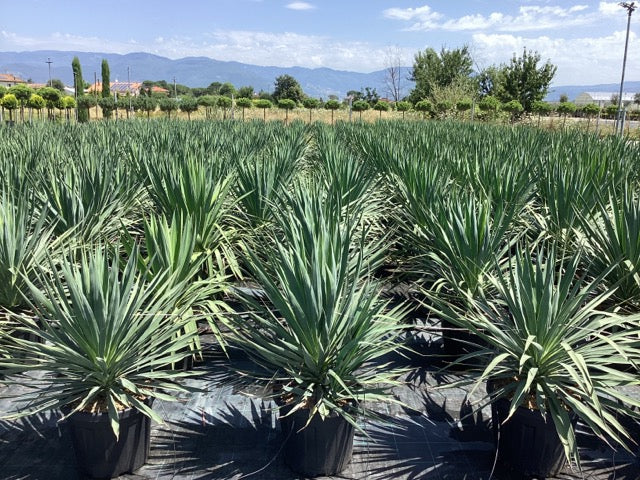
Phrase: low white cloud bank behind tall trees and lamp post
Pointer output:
(585, 61)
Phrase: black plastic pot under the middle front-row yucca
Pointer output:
(324, 447)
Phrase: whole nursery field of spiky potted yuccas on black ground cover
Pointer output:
(345, 274)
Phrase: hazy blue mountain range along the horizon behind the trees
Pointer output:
(202, 71)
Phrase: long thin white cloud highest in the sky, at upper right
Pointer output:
(531, 17)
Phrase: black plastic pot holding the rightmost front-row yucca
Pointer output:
(526, 444)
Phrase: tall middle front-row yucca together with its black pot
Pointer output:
(320, 326)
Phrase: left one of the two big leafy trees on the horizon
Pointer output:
(431, 69)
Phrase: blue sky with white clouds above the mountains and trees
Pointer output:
(584, 38)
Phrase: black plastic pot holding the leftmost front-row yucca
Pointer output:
(99, 454)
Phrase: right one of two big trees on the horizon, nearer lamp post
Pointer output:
(524, 81)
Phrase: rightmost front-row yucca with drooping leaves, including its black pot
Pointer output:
(549, 353)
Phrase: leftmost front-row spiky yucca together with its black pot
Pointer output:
(106, 334)
